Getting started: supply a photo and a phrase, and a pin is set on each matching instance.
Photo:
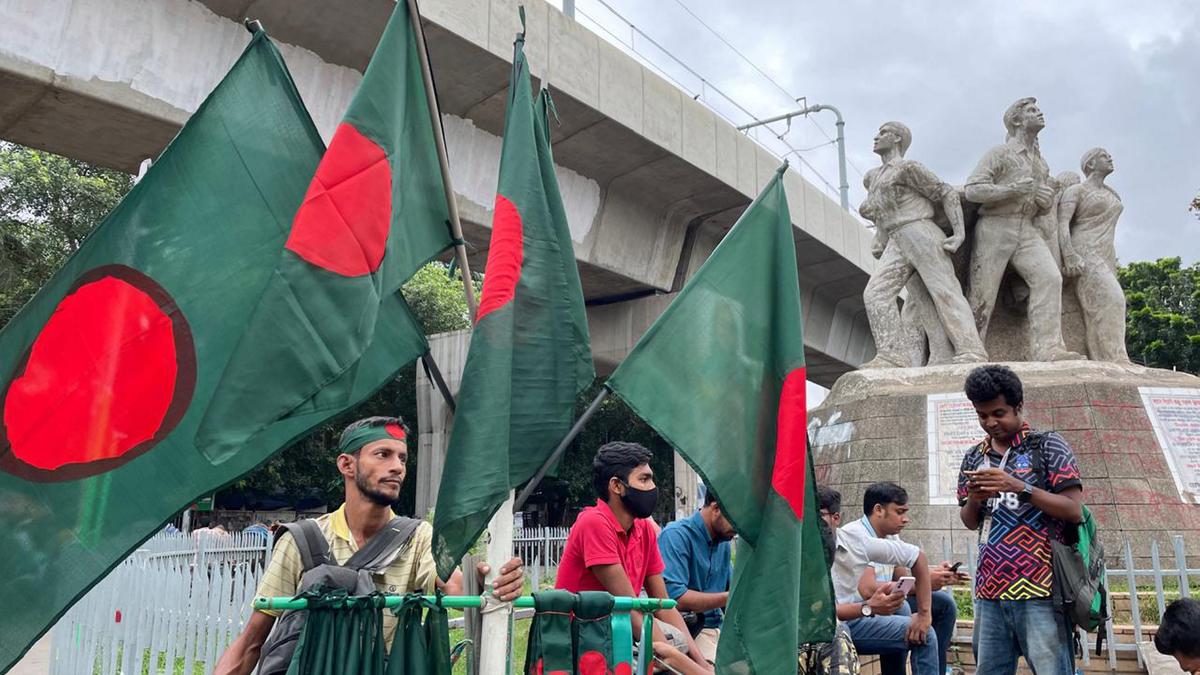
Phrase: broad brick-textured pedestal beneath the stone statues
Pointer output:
(884, 426)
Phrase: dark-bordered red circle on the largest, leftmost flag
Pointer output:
(110, 377)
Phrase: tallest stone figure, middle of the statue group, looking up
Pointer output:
(1012, 184)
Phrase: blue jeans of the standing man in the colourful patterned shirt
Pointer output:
(1005, 630)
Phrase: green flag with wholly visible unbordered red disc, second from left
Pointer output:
(333, 327)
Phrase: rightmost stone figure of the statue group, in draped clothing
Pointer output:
(1088, 222)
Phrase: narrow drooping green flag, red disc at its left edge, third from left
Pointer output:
(530, 351)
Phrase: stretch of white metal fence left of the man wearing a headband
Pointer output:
(172, 607)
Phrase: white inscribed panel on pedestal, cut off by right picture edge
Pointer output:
(1175, 416)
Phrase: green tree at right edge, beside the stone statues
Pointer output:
(1163, 314)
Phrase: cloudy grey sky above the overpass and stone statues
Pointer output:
(1120, 75)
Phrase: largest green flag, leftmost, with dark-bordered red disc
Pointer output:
(106, 373)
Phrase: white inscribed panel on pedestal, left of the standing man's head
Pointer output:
(952, 428)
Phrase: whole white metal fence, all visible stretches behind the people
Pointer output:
(177, 602)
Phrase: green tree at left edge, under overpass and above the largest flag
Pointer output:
(49, 205)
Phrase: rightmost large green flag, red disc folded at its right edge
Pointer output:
(721, 375)
